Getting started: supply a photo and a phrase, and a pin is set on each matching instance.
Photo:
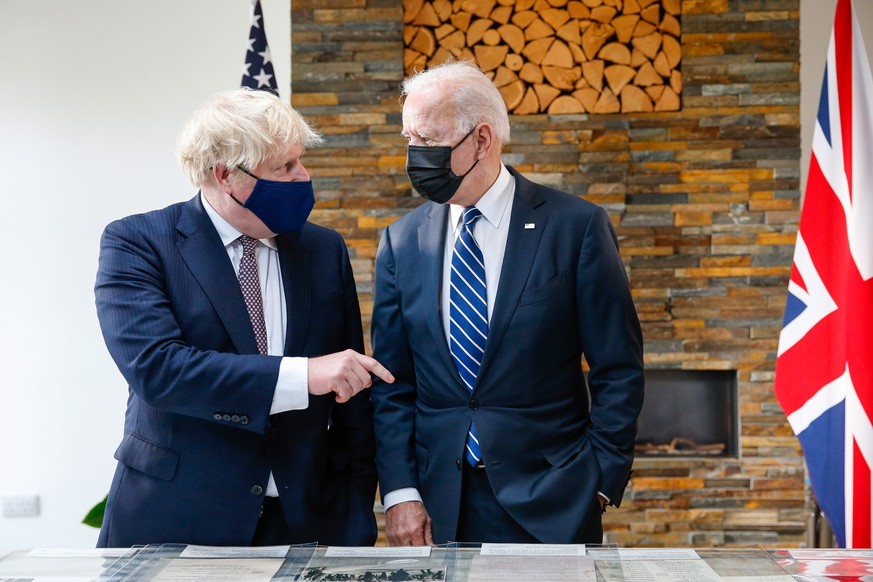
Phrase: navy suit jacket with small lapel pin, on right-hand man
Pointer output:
(563, 293)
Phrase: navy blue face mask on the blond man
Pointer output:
(283, 207)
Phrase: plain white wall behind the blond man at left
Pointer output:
(93, 94)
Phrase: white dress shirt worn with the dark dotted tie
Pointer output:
(292, 386)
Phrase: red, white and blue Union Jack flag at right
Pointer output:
(824, 365)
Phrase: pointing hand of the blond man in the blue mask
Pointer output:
(345, 373)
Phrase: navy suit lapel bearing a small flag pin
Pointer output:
(521, 248)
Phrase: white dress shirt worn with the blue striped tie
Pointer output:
(491, 232)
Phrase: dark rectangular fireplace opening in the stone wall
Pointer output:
(689, 413)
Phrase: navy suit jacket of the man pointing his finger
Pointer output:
(199, 442)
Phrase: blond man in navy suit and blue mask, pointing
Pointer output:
(236, 324)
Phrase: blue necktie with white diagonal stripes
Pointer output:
(468, 313)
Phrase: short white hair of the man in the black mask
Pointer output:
(475, 97)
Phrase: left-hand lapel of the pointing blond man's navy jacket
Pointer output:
(206, 258)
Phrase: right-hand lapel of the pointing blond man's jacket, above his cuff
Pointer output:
(295, 267)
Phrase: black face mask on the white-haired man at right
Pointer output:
(430, 170)
